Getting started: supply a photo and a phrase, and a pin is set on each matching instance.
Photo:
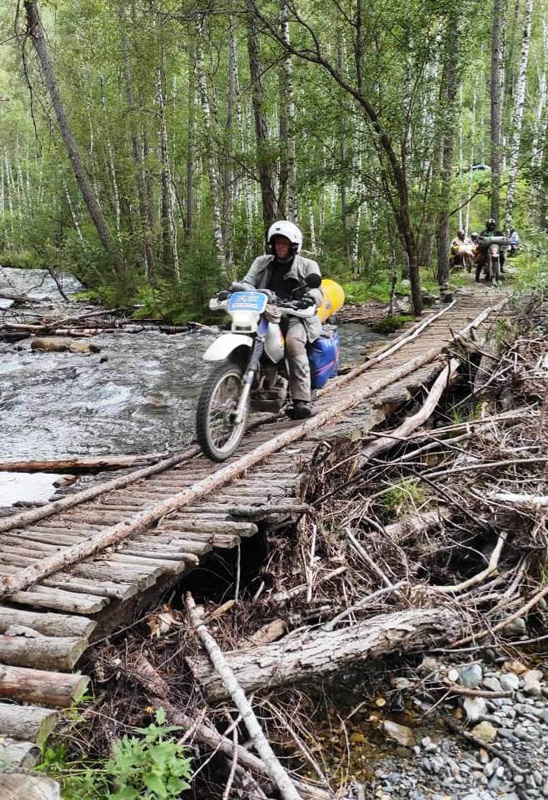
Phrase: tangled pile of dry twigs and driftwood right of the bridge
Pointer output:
(439, 541)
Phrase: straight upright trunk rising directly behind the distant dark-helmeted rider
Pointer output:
(497, 95)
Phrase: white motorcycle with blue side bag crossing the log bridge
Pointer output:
(251, 372)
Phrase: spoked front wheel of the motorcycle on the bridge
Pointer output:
(217, 433)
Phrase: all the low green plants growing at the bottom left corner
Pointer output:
(150, 766)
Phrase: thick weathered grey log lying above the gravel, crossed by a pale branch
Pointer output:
(315, 655)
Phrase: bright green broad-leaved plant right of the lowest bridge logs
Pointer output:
(149, 767)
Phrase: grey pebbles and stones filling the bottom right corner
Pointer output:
(441, 766)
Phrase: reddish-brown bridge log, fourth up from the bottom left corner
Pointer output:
(38, 686)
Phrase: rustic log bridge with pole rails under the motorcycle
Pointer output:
(72, 569)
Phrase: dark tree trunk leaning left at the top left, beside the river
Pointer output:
(36, 33)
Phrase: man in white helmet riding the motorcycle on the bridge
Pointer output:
(283, 271)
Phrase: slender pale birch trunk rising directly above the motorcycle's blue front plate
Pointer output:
(210, 157)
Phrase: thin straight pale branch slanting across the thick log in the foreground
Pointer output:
(273, 766)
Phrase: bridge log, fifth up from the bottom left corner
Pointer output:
(46, 652)
